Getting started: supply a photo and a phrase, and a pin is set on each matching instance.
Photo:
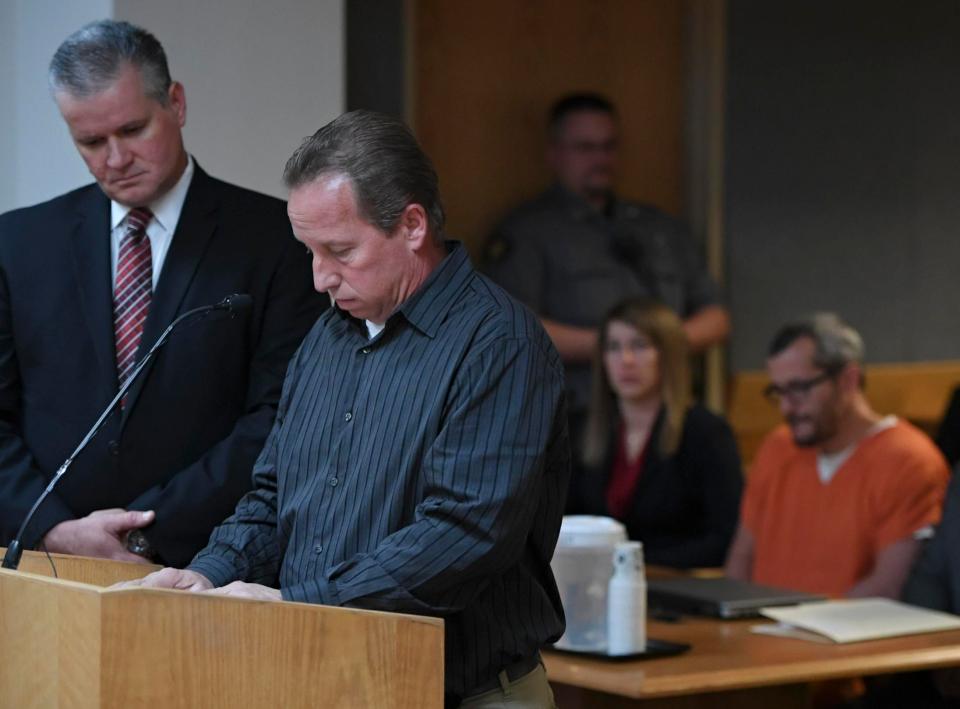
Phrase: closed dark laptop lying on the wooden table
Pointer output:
(719, 597)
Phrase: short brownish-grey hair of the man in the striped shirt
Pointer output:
(385, 165)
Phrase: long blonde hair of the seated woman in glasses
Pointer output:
(663, 328)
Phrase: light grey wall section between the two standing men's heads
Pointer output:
(259, 77)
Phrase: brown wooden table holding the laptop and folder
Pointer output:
(730, 666)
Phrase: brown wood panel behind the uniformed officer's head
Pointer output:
(483, 75)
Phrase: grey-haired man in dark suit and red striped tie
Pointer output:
(90, 279)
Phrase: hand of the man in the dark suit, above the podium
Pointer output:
(100, 534)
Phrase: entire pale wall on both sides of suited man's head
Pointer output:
(258, 76)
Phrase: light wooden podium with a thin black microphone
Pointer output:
(71, 642)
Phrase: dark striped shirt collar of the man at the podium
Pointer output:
(428, 306)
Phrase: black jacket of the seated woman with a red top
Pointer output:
(685, 507)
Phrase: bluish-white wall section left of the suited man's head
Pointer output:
(41, 162)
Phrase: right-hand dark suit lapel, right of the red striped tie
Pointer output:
(195, 228)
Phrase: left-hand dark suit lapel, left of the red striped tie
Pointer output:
(91, 258)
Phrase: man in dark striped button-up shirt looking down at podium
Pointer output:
(419, 460)
